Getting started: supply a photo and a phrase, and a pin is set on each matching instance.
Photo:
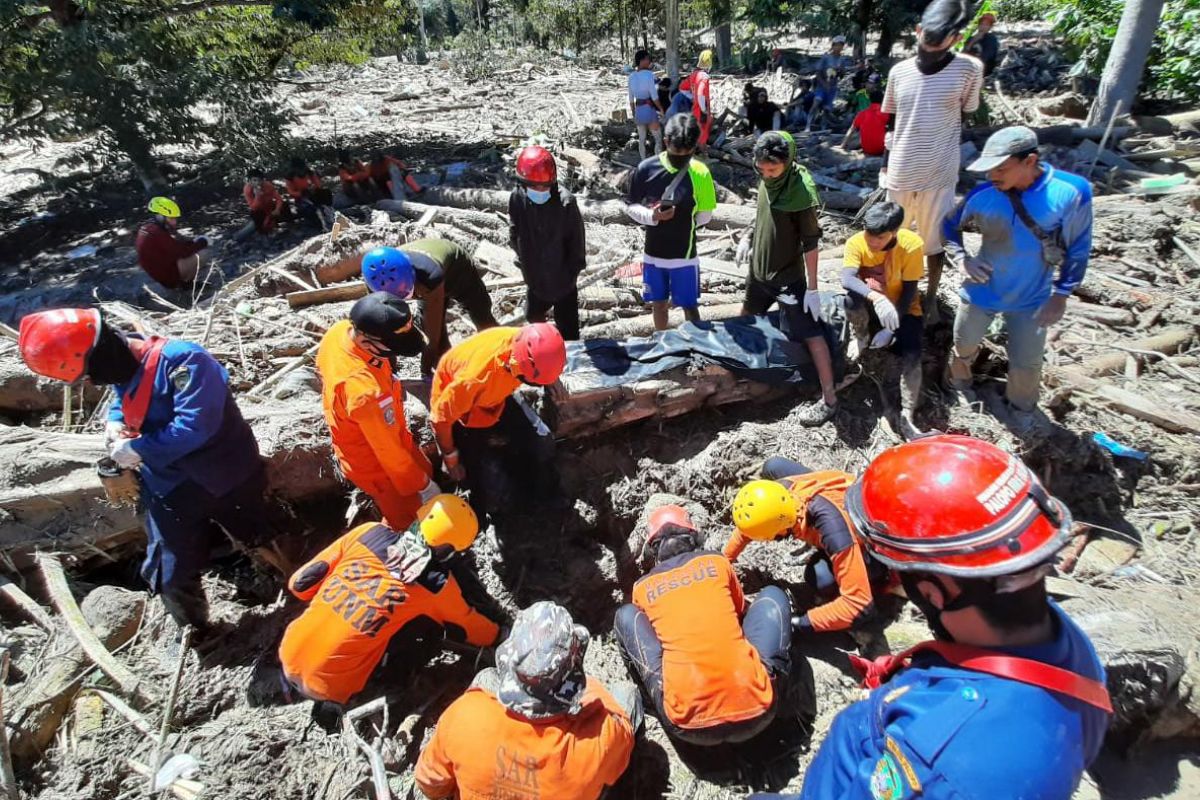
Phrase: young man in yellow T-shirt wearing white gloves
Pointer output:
(881, 270)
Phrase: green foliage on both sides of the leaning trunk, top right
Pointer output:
(1173, 73)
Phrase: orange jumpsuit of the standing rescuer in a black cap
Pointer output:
(364, 407)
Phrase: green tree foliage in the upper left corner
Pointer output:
(141, 75)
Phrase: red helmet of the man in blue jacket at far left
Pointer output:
(57, 344)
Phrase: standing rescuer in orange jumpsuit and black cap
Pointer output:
(364, 406)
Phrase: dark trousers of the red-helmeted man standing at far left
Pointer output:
(181, 530)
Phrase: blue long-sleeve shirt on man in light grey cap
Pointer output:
(1061, 204)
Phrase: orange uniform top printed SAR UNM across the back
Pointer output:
(356, 607)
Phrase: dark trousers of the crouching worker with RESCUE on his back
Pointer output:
(766, 625)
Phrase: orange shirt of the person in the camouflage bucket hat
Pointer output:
(482, 751)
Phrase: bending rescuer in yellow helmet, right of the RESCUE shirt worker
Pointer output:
(811, 507)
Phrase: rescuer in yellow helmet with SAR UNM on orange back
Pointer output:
(367, 588)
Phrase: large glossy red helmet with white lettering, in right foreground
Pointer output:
(959, 507)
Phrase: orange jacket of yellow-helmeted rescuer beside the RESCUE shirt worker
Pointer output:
(835, 538)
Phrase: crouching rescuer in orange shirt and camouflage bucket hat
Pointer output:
(536, 726)
